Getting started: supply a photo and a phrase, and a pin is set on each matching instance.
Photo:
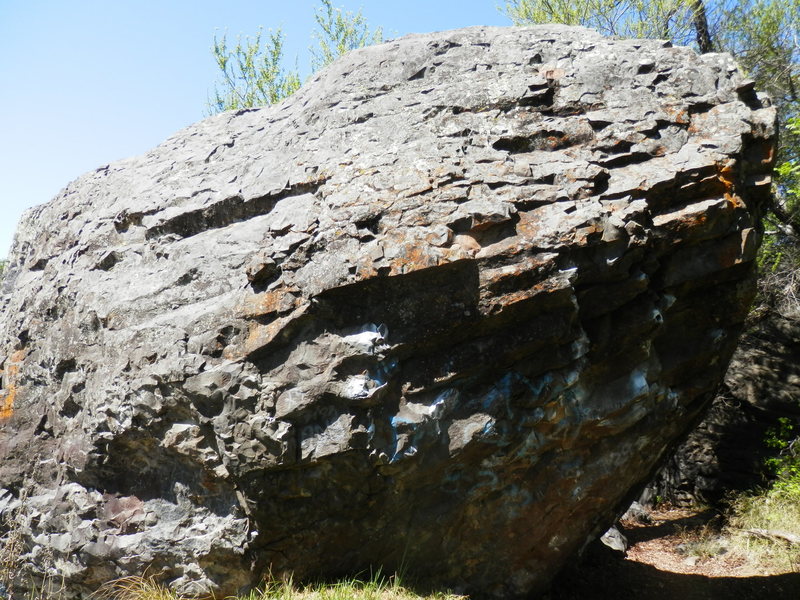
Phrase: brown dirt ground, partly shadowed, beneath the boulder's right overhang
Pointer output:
(658, 567)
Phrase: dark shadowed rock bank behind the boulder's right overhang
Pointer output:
(726, 452)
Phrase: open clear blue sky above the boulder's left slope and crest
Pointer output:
(87, 82)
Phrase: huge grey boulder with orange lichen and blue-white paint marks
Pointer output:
(444, 309)
